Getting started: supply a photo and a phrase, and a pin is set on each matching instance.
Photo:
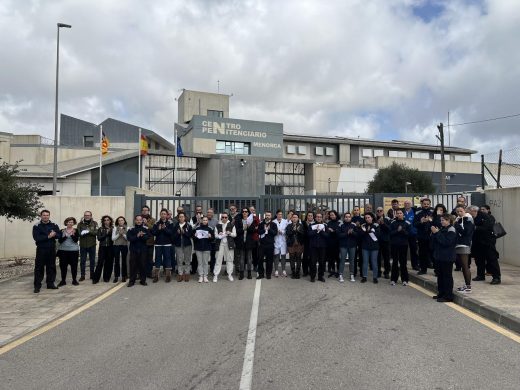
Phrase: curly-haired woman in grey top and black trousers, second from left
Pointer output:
(68, 251)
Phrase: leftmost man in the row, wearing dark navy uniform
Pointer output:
(45, 233)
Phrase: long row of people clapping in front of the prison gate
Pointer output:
(245, 243)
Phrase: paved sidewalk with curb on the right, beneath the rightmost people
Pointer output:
(500, 303)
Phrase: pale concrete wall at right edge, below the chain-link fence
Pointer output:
(505, 206)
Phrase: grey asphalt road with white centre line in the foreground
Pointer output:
(309, 336)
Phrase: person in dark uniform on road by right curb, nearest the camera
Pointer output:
(444, 241)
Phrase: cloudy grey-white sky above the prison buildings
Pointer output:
(384, 69)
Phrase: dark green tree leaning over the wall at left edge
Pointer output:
(17, 199)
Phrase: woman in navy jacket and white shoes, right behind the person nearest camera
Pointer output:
(464, 227)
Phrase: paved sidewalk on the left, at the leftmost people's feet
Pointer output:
(22, 311)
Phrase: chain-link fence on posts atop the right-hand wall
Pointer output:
(501, 169)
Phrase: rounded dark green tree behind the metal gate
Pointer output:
(392, 179)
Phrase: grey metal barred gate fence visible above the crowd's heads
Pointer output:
(300, 203)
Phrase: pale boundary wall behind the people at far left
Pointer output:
(16, 237)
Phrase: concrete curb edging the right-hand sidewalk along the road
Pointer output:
(491, 313)
